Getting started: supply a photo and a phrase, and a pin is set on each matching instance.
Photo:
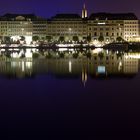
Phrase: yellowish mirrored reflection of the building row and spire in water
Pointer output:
(102, 63)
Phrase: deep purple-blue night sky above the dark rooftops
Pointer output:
(48, 8)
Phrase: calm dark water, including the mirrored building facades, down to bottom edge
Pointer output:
(70, 99)
